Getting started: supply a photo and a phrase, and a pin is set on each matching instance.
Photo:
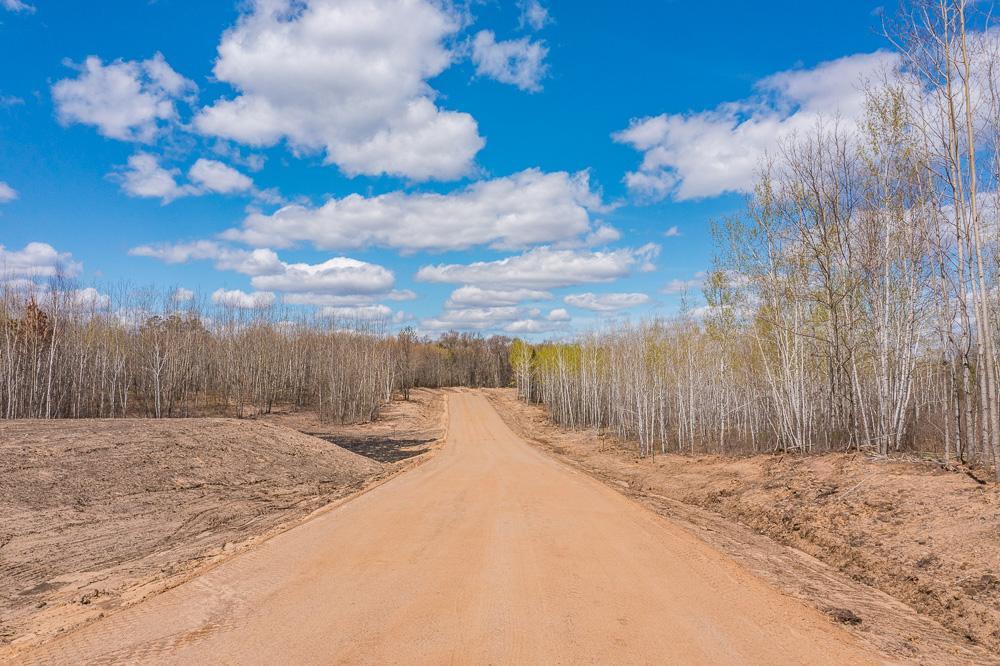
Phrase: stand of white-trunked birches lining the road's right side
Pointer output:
(854, 304)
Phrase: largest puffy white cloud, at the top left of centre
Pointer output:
(349, 78)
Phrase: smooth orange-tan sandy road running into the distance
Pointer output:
(489, 553)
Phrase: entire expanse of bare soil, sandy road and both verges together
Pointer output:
(492, 552)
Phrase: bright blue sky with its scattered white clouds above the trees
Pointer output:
(506, 167)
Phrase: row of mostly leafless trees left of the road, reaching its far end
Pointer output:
(74, 353)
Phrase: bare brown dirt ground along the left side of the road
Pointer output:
(101, 514)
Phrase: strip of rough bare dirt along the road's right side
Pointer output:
(903, 531)
